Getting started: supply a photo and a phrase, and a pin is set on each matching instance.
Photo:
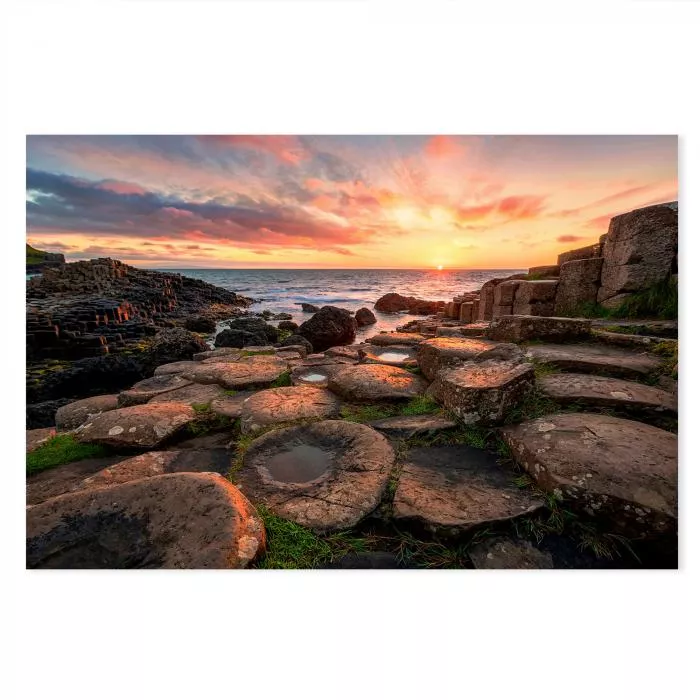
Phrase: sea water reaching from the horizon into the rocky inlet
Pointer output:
(284, 290)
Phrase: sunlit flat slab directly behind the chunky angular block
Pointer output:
(442, 353)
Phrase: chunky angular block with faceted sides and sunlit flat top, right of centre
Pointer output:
(482, 393)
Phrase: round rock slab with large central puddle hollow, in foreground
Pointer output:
(325, 476)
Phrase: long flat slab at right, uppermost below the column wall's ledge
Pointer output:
(601, 359)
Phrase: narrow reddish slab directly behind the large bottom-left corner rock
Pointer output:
(156, 463)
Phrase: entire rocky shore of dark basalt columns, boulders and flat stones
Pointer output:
(529, 424)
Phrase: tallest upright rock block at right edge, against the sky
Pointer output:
(640, 250)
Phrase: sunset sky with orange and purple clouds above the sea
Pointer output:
(337, 201)
